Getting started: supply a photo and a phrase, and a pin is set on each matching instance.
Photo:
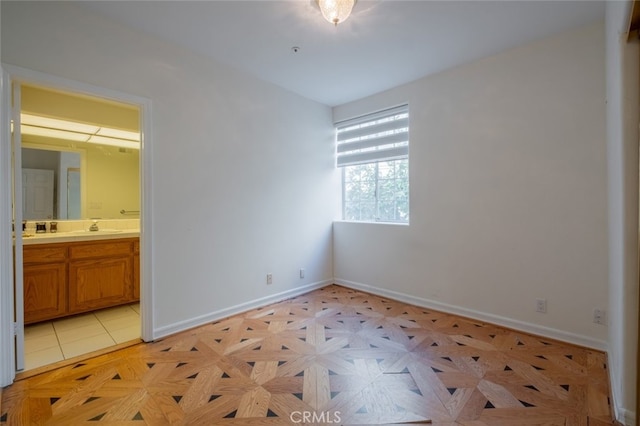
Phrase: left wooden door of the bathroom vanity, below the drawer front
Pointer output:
(45, 292)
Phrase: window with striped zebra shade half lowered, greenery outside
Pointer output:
(373, 151)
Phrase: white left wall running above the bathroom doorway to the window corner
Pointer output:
(242, 177)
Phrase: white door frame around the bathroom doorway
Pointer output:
(20, 75)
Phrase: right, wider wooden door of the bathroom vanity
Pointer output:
(95, 284)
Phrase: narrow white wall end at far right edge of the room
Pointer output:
(622, 152)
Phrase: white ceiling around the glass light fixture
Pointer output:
(383, 44)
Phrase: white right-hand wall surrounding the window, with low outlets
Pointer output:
(508, 191)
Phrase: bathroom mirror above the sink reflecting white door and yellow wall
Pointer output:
(97, 182)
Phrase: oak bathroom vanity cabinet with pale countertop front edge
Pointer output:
(69, 273)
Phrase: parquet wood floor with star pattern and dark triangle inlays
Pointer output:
(336, 356)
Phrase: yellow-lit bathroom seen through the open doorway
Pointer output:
(80, 220)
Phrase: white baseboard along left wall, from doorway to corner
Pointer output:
(233, 310)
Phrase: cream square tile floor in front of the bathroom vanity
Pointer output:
(53, 341)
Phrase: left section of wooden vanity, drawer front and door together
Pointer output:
(44, 282)
